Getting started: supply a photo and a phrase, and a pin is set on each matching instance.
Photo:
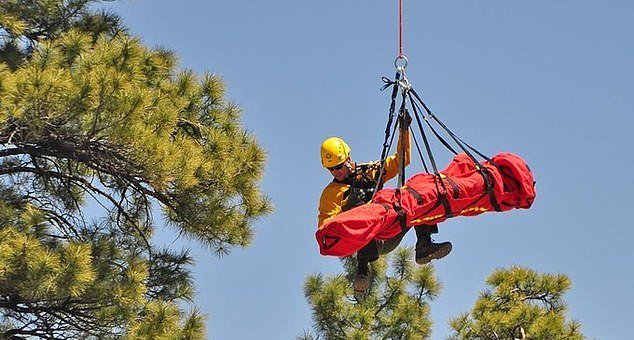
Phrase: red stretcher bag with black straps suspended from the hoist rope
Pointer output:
(509, 176)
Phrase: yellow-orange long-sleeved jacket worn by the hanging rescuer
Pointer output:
(334, 197)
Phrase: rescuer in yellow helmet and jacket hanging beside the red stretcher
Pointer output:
(353, 185)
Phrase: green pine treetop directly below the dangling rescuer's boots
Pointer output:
(396, 307)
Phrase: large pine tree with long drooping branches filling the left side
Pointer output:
(98, 136)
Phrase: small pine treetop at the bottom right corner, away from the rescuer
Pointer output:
(519, 304)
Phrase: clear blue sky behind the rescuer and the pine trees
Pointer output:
(549, 80)
